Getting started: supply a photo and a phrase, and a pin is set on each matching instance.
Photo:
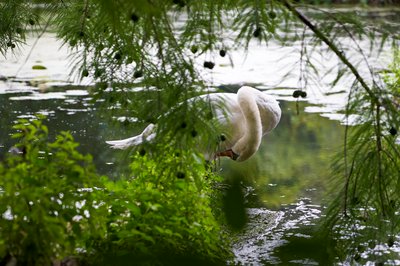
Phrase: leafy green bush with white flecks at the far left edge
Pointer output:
(48, 200)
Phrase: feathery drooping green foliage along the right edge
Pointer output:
(369, 170)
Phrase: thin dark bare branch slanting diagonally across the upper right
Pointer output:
(320, 35)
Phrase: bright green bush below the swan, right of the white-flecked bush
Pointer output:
(163, 214)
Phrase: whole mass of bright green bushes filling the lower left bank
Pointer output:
(54, 205)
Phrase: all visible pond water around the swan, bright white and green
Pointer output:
(286, 182)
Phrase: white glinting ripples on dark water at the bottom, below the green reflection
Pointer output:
(282, 237)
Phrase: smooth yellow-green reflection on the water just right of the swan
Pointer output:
(293, 161)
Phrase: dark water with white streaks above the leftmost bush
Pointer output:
(71, 110)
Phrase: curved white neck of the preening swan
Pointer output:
(249, 143)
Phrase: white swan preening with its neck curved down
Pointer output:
(243, 117)
